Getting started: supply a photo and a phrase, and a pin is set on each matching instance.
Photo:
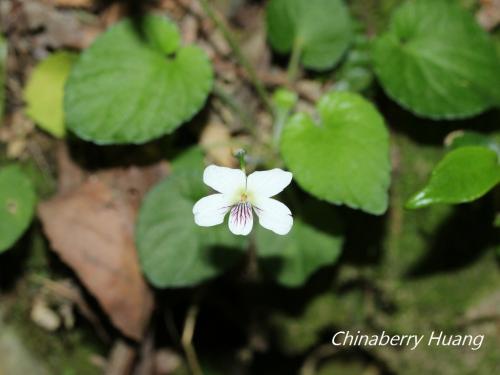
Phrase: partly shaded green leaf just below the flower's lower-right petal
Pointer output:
(293, 258)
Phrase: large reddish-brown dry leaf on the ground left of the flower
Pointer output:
(92, 229)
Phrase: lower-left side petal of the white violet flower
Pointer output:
(211, 210)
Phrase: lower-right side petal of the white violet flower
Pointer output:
(274, 215)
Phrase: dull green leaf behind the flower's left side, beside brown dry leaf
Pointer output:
(173, 250)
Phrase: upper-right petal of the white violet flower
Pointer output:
(268, 183)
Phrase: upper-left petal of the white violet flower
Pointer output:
(224, 180)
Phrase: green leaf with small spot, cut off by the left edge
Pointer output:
(17, 204)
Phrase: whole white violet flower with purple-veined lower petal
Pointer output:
(239, 194)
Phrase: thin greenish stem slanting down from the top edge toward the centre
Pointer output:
(220, 23)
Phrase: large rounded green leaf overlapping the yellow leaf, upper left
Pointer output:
(132, 86)
